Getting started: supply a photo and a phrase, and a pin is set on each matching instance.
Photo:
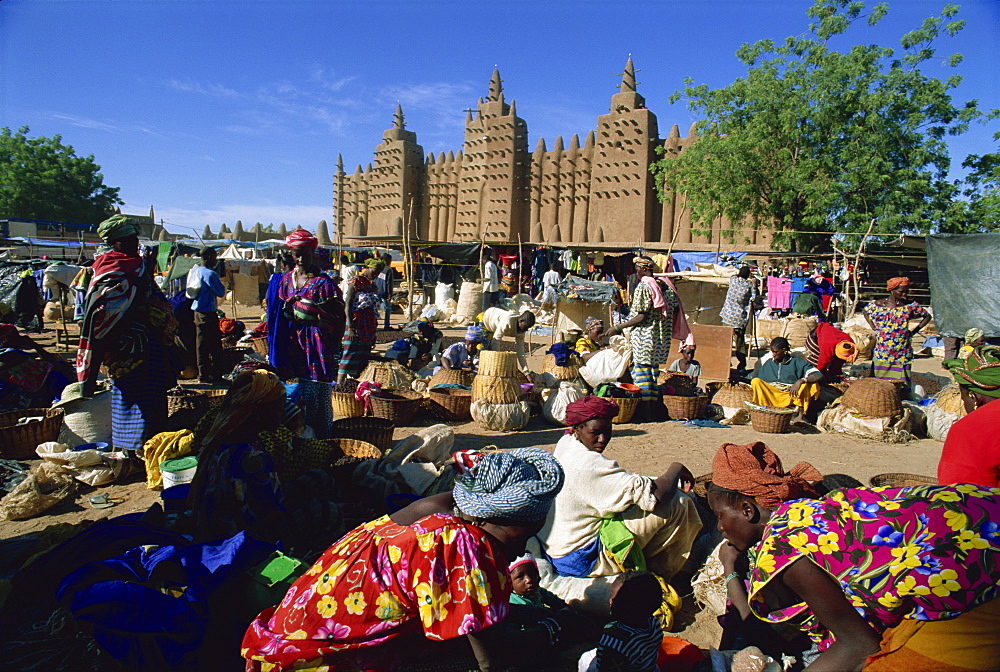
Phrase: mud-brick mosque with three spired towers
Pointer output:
(495, 190)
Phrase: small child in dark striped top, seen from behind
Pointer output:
(631, 641)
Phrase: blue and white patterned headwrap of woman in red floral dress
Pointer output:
(518, 486)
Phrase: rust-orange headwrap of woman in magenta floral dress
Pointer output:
(755, 471)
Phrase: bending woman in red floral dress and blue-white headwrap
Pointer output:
(425, 585)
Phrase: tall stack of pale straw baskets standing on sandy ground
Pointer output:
(496, 392)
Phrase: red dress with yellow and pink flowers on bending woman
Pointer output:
(440, 577)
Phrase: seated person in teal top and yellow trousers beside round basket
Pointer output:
(783, 380)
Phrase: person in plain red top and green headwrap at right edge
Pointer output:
(971, 453)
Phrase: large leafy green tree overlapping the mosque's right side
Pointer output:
(814, 139)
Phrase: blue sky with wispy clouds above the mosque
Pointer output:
(218, 111)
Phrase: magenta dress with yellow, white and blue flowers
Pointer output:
(926, 553)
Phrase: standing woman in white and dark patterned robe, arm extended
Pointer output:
(656, 315)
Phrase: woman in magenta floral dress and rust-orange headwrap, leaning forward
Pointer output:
(880, 578)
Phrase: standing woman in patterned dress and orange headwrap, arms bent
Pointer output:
(890, 319)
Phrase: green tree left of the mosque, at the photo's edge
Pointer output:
(41, 178)
